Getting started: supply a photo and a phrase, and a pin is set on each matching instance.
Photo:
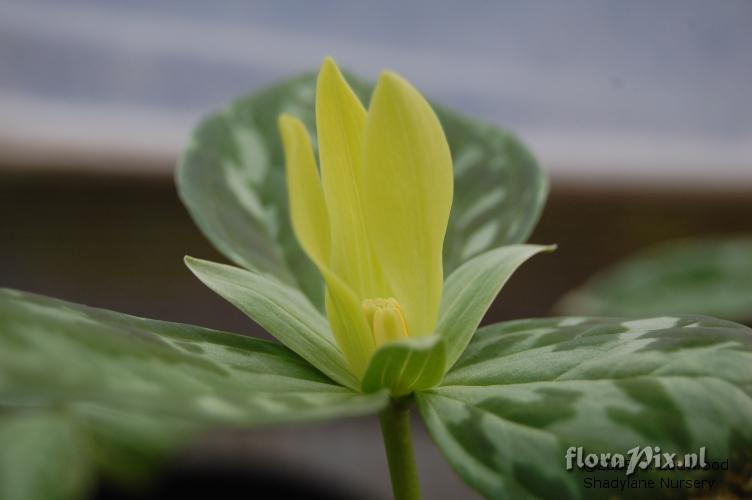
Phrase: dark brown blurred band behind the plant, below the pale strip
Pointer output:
(118, 242)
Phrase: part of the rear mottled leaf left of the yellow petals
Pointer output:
(231, 179)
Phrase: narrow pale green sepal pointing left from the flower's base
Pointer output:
(281, 310)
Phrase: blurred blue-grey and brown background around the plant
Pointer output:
(640, 112)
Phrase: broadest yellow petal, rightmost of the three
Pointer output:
(407, 194)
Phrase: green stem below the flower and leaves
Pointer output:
(395, 427)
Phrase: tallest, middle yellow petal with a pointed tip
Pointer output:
(340, 120)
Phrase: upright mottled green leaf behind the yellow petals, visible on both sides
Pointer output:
(231, 178)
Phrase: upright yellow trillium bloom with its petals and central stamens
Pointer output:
(374, 215)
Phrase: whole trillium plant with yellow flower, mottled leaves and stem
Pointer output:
(373, 219)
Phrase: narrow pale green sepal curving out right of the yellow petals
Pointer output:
(470, 290)
